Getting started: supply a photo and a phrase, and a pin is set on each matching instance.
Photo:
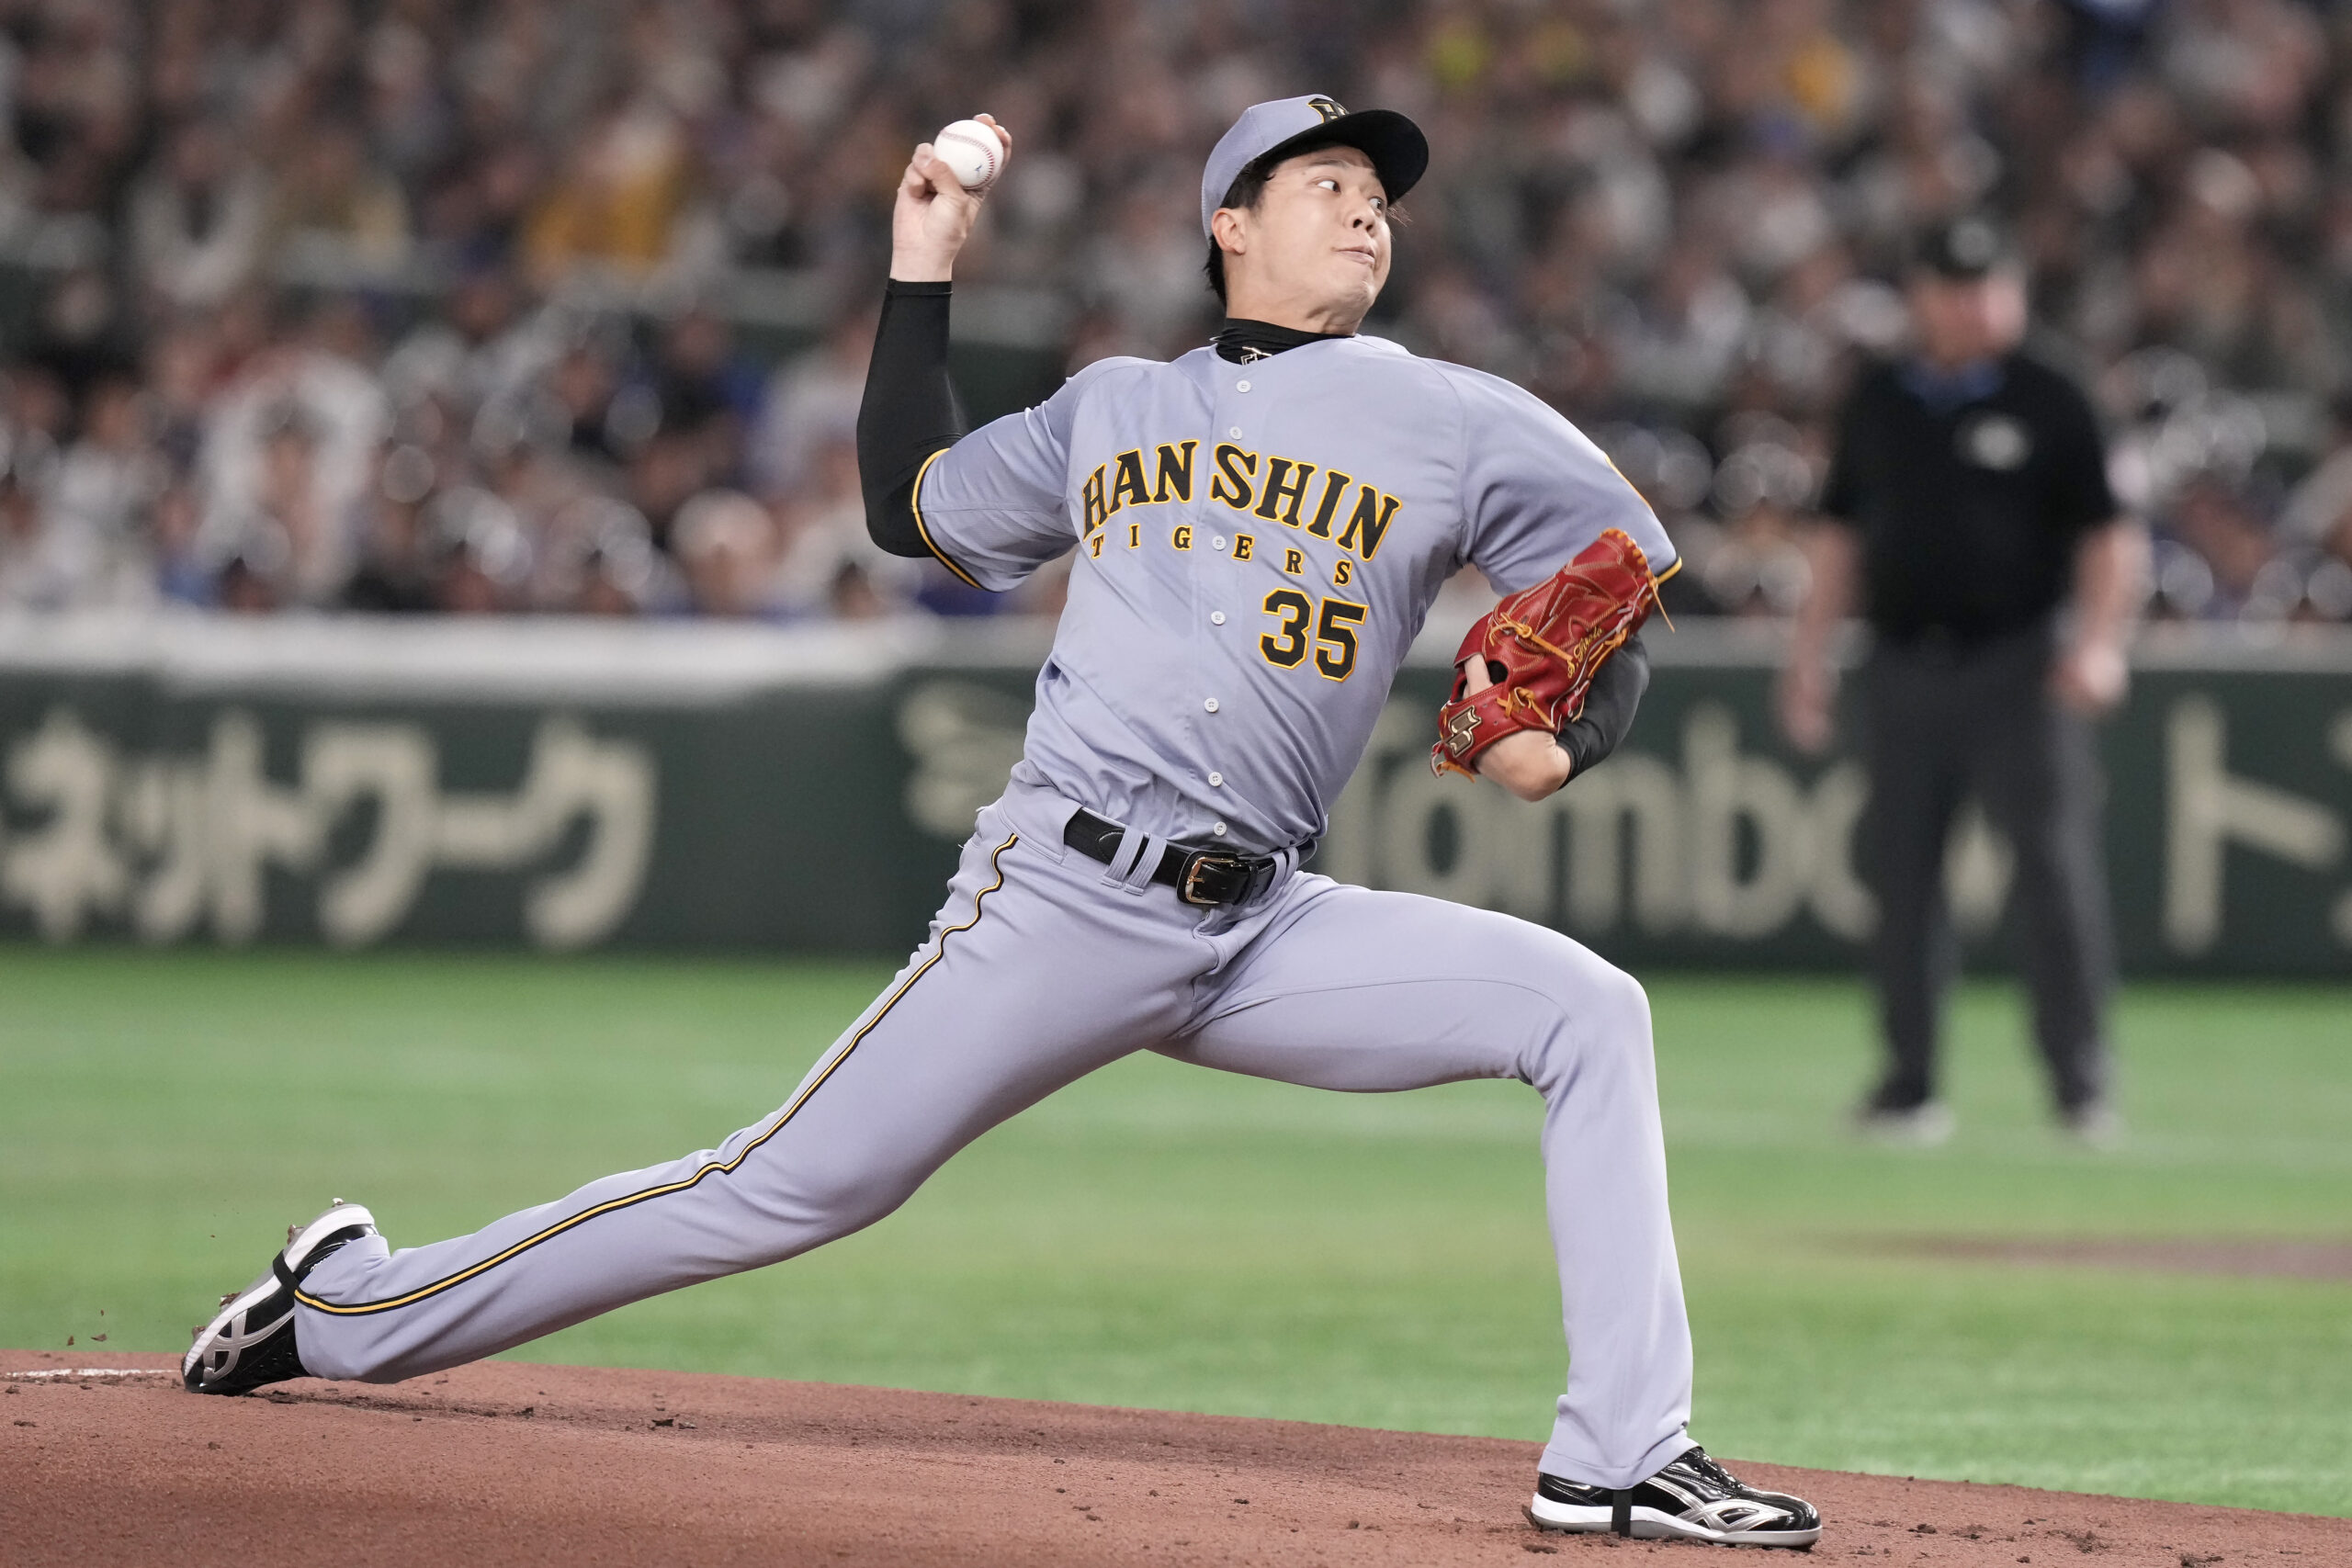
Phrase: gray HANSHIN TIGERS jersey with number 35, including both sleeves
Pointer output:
(1257, 547)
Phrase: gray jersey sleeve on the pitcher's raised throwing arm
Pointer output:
(994, 507)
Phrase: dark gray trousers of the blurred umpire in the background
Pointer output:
(1949, 721)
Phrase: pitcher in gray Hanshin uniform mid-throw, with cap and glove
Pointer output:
(1257, 532)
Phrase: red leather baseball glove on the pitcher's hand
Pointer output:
(1542, 650)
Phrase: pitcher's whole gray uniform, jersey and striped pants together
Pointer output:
(1257, 547)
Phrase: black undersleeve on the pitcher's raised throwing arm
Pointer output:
(911, 410)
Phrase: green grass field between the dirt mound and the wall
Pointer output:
(1180, 1240)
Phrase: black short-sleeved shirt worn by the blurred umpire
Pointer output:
(1970, 492)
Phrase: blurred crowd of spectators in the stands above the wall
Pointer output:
(422, 304)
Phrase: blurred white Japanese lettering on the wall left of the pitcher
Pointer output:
(171, 843)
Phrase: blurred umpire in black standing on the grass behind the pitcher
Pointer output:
(1970, 521)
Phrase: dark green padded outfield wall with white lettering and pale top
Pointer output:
(686, 786)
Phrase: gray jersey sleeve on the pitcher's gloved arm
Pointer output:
(1537, 490)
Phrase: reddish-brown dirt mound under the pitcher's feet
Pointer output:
(107, 1461)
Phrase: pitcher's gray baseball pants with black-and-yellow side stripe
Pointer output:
(1043, 967)
